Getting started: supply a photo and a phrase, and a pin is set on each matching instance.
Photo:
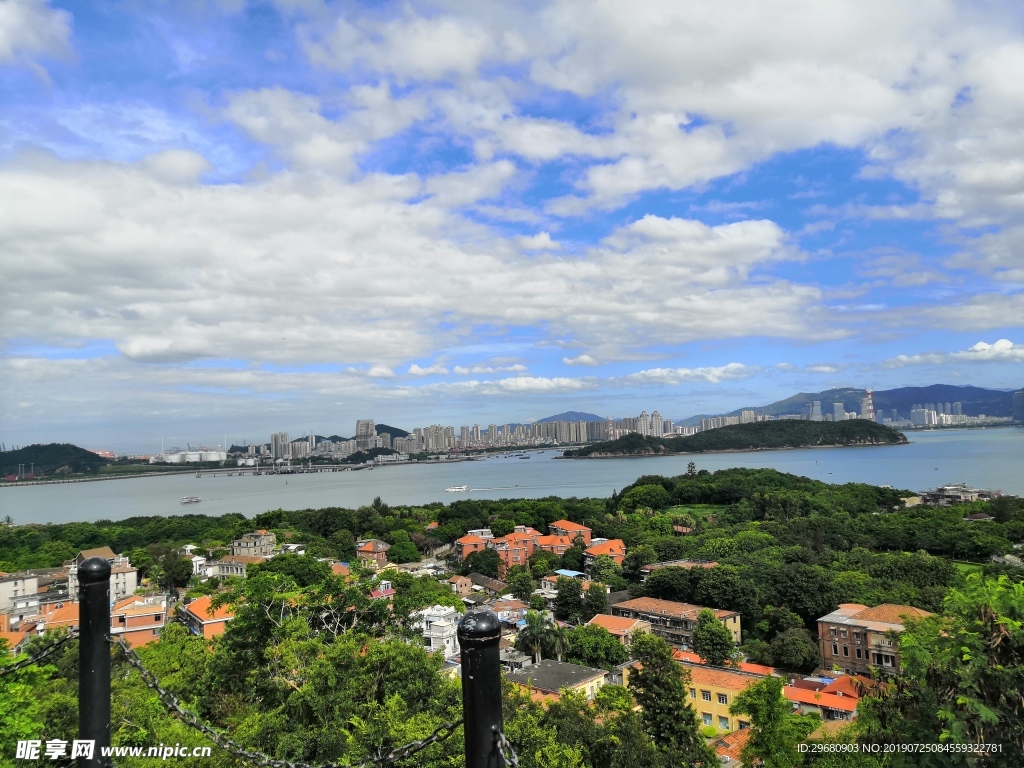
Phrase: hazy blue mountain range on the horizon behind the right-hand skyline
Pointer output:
(974, 402)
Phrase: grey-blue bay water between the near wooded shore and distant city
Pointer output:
(983, 458)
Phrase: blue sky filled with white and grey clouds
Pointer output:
(237, 218)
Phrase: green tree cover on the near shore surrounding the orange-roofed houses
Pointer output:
(296, 678)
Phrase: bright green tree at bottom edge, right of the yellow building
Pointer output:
(776, 732)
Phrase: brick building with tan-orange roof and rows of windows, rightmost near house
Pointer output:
(856, 638)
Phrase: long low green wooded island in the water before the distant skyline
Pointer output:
(771, 436)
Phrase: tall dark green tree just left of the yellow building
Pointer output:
(660, 688)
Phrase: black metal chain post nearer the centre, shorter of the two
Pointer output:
(480, 636)
